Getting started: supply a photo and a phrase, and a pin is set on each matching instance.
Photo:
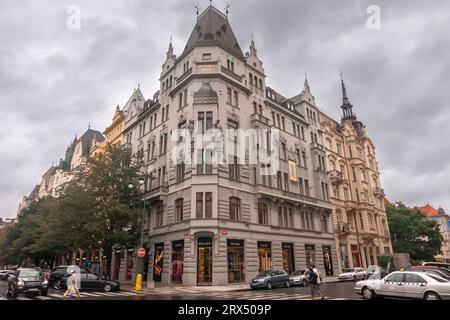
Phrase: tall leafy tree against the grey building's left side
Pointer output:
(104, 189)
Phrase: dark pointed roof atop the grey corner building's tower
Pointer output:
(212, 28)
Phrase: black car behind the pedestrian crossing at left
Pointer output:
(88, 281)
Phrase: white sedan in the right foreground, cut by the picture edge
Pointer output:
(405, 284)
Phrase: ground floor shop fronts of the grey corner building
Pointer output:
(208, 258)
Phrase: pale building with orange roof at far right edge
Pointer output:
(443, 220)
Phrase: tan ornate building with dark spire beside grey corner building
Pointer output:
(359, 217)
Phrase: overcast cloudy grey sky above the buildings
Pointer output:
(55, 81)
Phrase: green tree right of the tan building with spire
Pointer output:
(412, 233)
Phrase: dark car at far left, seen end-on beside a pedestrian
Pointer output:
(27, 281)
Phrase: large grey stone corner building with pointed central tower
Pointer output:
(212, 223)
